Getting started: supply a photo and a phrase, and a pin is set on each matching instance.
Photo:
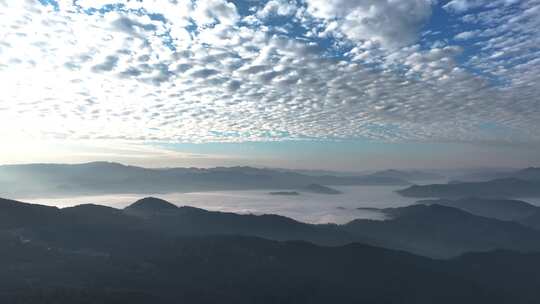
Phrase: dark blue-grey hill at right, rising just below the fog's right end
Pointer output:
(442, 232)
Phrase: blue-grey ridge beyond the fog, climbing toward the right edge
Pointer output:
(523, 183)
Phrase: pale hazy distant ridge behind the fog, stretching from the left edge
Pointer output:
(103, 177)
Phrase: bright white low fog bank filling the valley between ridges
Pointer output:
(306, 207)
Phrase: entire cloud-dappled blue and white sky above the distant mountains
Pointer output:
(322, 84)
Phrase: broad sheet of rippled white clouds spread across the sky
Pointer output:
(124, 76)
